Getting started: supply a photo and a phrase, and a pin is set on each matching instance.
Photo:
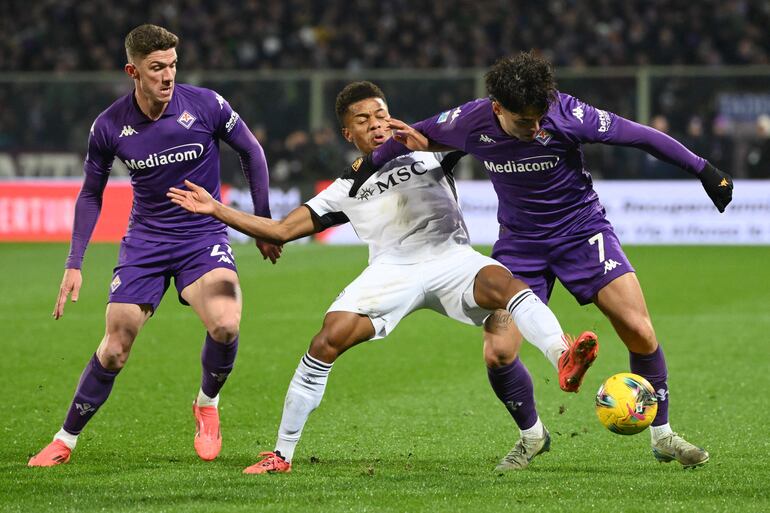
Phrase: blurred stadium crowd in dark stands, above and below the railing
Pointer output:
(67, 36)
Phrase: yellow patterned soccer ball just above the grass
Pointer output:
(626, 403)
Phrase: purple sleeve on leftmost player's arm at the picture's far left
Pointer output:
(97, 168)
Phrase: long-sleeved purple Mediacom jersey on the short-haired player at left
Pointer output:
(182, 144)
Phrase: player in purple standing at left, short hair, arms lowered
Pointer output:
(165, 133)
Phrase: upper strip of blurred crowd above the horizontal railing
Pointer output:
(290, 34)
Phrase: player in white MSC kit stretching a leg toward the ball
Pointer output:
(419, 257)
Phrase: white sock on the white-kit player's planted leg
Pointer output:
(306, 390)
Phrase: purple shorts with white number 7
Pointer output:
(584, 263)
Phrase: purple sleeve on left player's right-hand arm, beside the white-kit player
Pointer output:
(232, 130)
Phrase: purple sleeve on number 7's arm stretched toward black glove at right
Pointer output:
(583, 123)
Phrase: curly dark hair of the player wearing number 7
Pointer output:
(522, 81)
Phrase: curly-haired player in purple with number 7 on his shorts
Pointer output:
(528, 135)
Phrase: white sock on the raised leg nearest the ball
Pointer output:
(538, 324)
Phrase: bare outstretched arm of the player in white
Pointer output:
(299, 223)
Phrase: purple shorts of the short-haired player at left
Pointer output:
(145, 268)
